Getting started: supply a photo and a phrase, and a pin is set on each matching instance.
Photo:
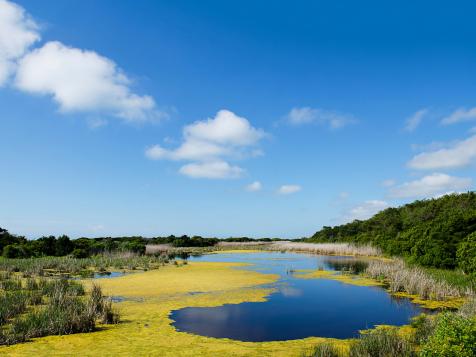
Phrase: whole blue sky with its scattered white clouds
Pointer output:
(230, 118)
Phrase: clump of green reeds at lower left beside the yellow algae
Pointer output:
(36, 307)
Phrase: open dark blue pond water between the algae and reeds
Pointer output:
(300, 308)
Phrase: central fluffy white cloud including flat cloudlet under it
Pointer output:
(208, 142)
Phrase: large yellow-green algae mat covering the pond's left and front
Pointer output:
(146, 328)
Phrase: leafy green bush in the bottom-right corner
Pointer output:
(454, 335)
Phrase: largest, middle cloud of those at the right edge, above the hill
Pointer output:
(462, 153)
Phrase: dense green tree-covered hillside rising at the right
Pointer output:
(433, 233)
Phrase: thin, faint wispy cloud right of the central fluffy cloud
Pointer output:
(307, 115)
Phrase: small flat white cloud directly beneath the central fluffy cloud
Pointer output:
(211, 170)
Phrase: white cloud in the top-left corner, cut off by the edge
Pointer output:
(17, 33)
